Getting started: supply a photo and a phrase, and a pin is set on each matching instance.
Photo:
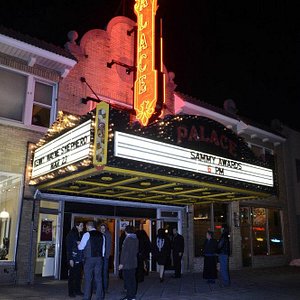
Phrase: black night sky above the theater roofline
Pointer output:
(247, 51)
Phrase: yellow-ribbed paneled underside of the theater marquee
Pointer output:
(119, 184)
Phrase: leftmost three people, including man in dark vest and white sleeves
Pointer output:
(93, 248)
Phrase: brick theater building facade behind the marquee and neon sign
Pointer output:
(88, 79)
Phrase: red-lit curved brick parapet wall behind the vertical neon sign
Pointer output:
(97, 48)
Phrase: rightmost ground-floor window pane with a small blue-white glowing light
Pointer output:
(275, 232)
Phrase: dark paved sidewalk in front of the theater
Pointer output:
(267, 283)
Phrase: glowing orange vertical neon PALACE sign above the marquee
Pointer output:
(145, 86)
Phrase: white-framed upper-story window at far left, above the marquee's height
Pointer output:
(26, 99)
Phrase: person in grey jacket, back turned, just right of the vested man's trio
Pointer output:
(128, 262)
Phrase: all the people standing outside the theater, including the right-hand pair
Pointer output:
(94, 247)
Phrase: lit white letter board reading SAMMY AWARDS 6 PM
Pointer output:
(153, 152)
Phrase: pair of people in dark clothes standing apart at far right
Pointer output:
(214, 252)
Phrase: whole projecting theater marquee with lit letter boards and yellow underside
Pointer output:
(103, 157)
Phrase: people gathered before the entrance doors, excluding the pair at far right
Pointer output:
(89, 252)
